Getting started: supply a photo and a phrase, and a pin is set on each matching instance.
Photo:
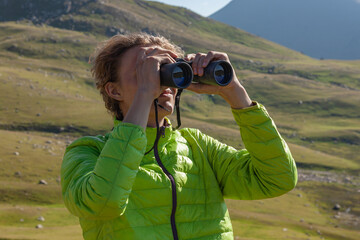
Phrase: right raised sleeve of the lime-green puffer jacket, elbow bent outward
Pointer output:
(264, 169)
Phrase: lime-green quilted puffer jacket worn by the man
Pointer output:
(118, 193)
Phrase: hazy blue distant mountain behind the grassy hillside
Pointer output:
(321, 29)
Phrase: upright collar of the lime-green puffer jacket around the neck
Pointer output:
(151, 133)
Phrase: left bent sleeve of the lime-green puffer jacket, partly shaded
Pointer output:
(96, 184)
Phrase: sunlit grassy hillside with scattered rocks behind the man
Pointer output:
(48, 99)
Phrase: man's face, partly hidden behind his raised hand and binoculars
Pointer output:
(128, 85)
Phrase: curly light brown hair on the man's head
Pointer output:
(106, 57)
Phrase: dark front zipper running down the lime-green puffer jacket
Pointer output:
(173, 186)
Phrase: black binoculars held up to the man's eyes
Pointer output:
(180, 74)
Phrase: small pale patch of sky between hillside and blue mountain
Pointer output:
(202, 7)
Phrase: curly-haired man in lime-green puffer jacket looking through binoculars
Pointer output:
(140, 183)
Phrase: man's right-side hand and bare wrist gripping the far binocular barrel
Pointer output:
(234, 93)
